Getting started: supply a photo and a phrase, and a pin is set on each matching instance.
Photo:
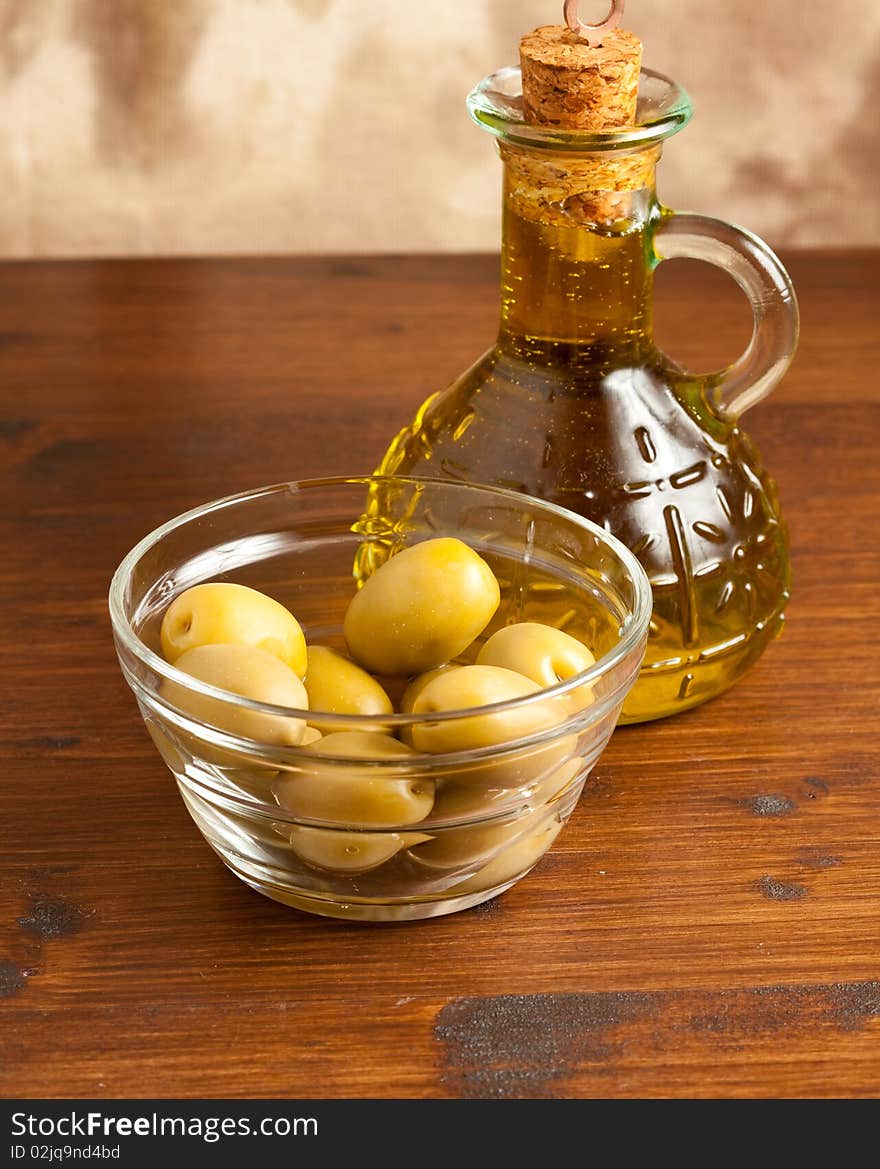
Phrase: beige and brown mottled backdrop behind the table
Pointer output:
(218, 127)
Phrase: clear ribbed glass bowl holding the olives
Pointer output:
(477, 820)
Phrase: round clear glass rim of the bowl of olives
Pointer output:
(636, 624)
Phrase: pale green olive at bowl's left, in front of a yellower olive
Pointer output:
(252, 674)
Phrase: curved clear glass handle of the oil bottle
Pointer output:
(763, 278)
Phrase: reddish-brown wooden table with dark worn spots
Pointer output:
(708, 925)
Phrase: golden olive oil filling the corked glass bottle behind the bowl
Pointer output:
(577, 405)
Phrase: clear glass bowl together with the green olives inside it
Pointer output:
(387, 791)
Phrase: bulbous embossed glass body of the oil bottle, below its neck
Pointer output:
(640, 452)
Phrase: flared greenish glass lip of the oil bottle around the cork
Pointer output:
(673, 113)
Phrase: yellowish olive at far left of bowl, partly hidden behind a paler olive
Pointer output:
(225, 614)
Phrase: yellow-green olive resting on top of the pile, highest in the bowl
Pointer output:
(422, 608)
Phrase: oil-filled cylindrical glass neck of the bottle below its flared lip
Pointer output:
(576, 260)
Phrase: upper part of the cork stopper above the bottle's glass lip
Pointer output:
(571, 85)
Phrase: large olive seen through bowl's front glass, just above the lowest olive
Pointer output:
(345, 793)
